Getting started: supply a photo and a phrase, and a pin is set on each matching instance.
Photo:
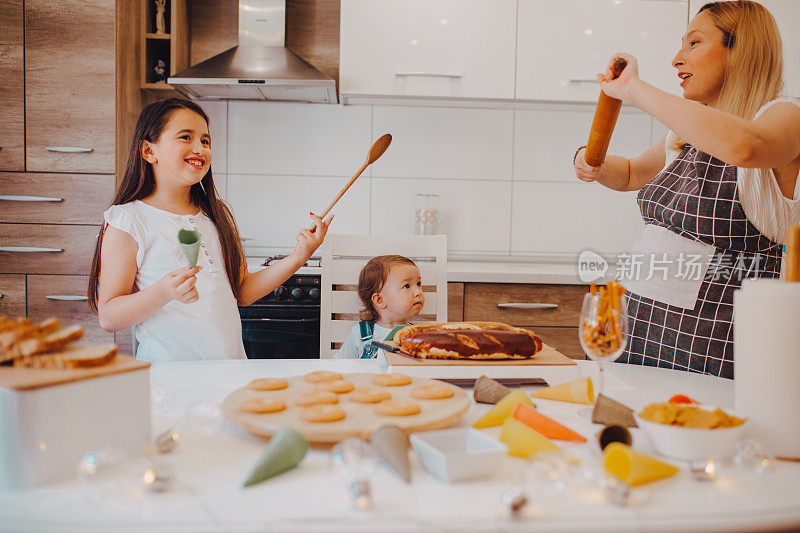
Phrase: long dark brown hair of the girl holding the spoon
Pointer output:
(139, 182)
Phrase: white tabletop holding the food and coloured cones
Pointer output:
(214, 457)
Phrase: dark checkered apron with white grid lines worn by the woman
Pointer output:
(697, 197)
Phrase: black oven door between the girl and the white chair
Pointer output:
(281, 338)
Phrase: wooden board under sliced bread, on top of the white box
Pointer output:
(15, 378)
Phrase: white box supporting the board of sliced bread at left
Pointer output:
(44, 432)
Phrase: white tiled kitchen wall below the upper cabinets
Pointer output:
(504, 176)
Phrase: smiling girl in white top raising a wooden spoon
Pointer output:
(139, 275)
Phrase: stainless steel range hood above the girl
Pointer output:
(260, 67)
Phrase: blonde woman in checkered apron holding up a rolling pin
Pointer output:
(717, 193)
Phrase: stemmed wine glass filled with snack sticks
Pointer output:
(603, 331)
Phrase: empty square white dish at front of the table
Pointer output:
(458, 453)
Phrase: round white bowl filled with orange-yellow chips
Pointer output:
(691, 444)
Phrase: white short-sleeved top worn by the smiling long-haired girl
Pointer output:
(209, 328)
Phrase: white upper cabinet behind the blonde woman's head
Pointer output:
(786, 13)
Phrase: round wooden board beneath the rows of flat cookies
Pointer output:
(360, 420)
